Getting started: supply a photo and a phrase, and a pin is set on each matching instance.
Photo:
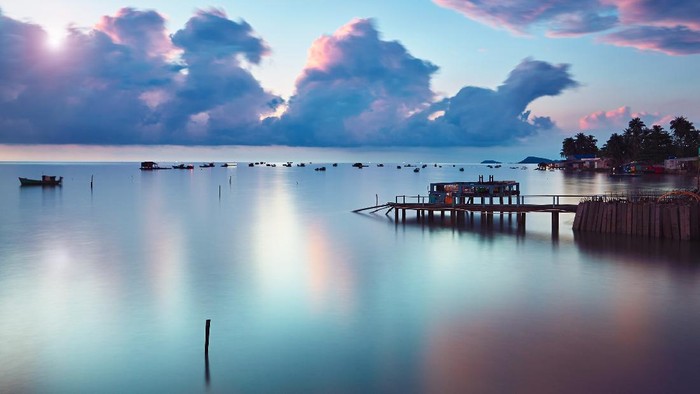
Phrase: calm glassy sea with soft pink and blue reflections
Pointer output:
(106, 284)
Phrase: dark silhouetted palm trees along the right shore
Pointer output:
(639, 143)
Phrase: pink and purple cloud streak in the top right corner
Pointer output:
(642, 24)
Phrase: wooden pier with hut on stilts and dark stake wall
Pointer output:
(669, 215)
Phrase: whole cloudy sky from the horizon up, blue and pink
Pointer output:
(492, 78)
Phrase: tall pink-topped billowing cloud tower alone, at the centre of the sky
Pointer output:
(355, 89)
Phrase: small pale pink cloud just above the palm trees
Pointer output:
(617, 119)
